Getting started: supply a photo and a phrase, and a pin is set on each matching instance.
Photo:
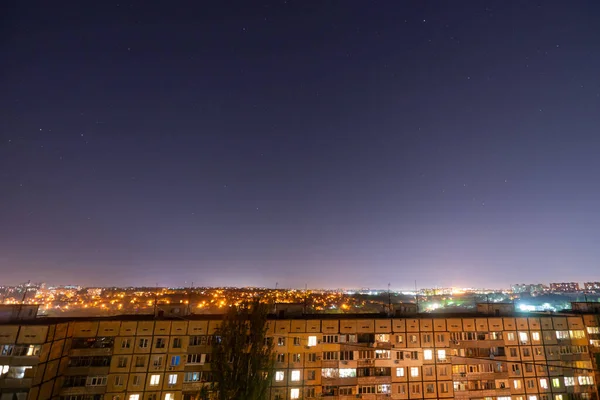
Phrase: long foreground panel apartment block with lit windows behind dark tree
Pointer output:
(427, 356)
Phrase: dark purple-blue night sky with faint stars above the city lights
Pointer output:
(327, 143)
